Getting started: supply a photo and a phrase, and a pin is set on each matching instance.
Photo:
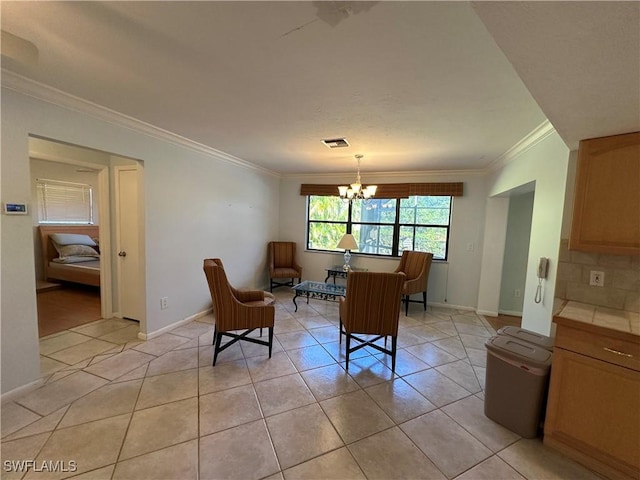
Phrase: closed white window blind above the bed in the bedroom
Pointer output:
(64, 202)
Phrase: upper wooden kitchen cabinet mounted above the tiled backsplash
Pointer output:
(606, 212)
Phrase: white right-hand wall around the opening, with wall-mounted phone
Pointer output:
(546, 165)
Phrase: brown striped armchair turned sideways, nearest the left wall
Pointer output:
(237, 309)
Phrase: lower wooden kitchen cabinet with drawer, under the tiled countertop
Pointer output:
(593, 410)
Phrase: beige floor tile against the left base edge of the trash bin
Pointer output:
(469, 413)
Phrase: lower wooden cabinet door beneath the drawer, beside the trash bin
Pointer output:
(594, 408)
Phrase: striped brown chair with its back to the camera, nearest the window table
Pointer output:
(371, 307)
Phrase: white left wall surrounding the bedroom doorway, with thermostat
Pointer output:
(196, 206)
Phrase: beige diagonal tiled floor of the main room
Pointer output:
(124, 409)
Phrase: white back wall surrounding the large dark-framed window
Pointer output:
(453, 283)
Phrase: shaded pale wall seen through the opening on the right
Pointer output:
(516, 252)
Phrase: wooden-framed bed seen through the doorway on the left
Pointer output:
(85, 271)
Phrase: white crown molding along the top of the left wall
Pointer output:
(41, 91)
